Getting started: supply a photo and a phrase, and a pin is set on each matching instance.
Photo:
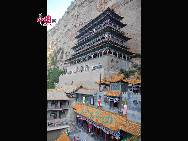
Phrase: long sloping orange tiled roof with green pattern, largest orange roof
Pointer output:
(107, 119)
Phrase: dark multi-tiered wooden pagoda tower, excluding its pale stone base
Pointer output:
(101, 36)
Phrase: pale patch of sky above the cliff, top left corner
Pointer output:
(56, 9)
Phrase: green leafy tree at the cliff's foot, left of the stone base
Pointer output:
(53, 77)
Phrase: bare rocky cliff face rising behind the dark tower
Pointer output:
(61, 38)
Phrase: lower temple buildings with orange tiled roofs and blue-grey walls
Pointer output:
(113, 113)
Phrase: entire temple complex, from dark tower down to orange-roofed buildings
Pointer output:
(104, 103)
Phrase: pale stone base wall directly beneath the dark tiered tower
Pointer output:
(110, 65)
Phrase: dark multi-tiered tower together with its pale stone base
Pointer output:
(100, 51)
